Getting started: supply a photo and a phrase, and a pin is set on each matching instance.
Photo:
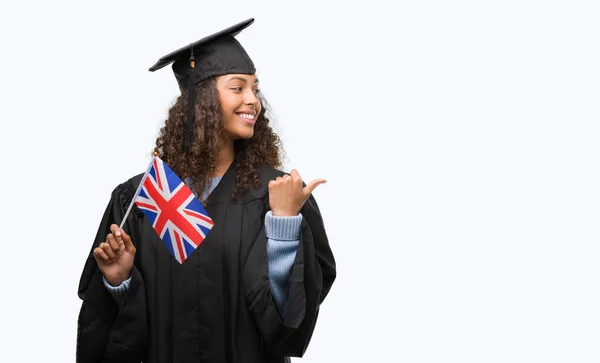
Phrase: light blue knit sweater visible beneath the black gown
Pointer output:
(283, 237)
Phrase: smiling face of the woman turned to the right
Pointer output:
(238, 94)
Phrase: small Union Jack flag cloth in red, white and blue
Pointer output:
(173, 210)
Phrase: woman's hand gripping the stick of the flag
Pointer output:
(115, 256)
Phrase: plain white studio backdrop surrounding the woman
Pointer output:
(459, 140)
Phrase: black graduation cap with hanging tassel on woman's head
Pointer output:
(214, 55)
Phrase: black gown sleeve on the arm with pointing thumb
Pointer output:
(313, 274)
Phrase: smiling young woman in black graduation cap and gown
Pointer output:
(251, 291)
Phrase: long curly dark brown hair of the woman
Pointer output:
(264, 147)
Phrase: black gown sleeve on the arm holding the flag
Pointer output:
(105, 331)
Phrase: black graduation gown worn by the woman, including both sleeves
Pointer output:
(216, 306)
